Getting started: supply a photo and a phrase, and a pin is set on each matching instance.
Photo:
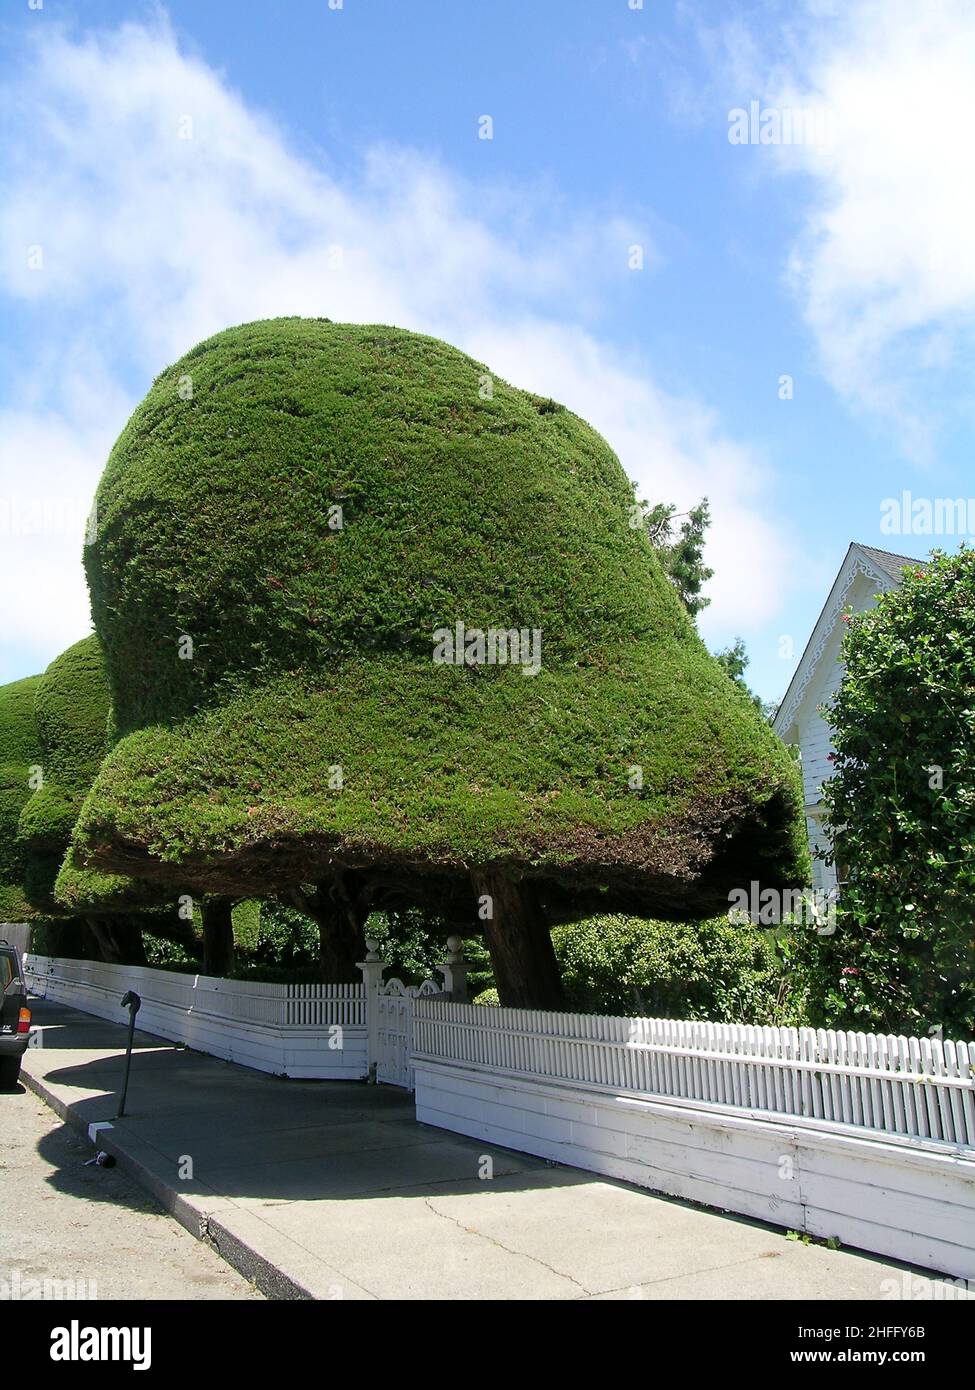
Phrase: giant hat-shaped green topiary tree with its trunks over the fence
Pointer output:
(287, 529)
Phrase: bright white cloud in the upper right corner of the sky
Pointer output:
(884, 266)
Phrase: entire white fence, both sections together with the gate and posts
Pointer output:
(841, 1135)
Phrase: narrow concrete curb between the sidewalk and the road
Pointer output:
(205, 1225)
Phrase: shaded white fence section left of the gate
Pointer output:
(300, 1031)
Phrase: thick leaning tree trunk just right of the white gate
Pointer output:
(519, 943)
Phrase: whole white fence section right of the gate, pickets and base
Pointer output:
(838, 1135)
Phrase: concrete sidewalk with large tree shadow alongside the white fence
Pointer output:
(333, 1191)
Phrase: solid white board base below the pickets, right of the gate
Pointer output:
(895, 1196)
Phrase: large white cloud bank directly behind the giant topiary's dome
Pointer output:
(152, 241)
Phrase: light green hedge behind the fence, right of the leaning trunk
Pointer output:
(671, 970)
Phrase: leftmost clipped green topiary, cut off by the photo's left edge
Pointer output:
(20, 753)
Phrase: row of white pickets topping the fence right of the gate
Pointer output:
(923, 1088)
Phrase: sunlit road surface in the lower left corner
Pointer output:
(90, 1231)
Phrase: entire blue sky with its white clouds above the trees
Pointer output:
(168, 172)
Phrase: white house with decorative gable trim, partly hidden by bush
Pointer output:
(863, 576)
